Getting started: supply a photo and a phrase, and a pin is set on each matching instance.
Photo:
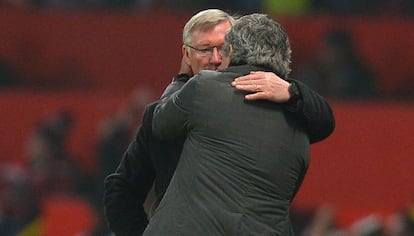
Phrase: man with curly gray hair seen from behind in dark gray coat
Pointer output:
(243, 161)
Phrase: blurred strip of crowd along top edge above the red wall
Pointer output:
(287, 7)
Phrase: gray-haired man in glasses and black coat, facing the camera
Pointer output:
(150, 162)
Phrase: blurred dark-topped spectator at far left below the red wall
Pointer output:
(51, 164)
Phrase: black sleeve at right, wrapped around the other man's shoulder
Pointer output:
(314, 111)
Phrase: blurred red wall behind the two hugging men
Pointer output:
(364, 167)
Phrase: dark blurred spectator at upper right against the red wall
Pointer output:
(338, 71)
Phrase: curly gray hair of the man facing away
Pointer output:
(259, 40)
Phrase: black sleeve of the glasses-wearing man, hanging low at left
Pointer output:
(126, 189)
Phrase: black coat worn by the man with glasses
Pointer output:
(149, 159)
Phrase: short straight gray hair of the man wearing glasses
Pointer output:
(204, 20)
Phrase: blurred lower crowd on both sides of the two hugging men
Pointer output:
(51, 171)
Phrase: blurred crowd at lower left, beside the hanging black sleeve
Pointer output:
(51, 170)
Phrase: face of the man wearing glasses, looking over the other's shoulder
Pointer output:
(205, 53)
